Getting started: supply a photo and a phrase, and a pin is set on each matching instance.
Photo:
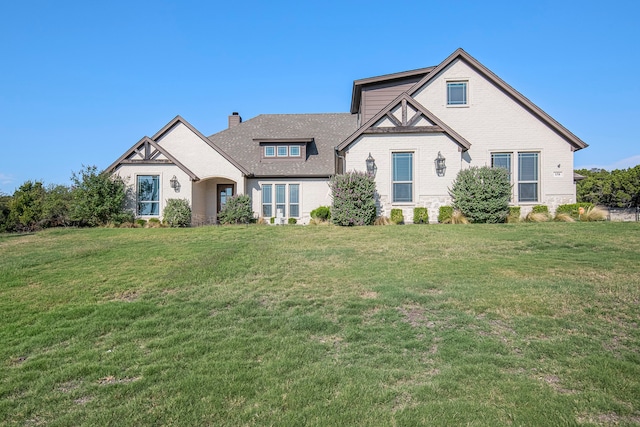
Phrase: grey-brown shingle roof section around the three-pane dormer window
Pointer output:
(327, 130)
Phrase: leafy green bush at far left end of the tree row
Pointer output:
(26, 207)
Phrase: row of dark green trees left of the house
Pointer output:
(93, 199)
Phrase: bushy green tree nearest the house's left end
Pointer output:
(98, 198)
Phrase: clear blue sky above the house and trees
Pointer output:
(83, 81)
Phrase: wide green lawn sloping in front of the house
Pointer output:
(514, 324)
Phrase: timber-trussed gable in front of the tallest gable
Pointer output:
(405, 115)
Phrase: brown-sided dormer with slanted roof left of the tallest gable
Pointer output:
(372, 94)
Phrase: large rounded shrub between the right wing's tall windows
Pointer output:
(482, 194)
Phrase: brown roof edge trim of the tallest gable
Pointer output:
(576, 142)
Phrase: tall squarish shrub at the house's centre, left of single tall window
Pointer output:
(353, 199)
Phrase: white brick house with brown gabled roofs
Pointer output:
(414, 130)
